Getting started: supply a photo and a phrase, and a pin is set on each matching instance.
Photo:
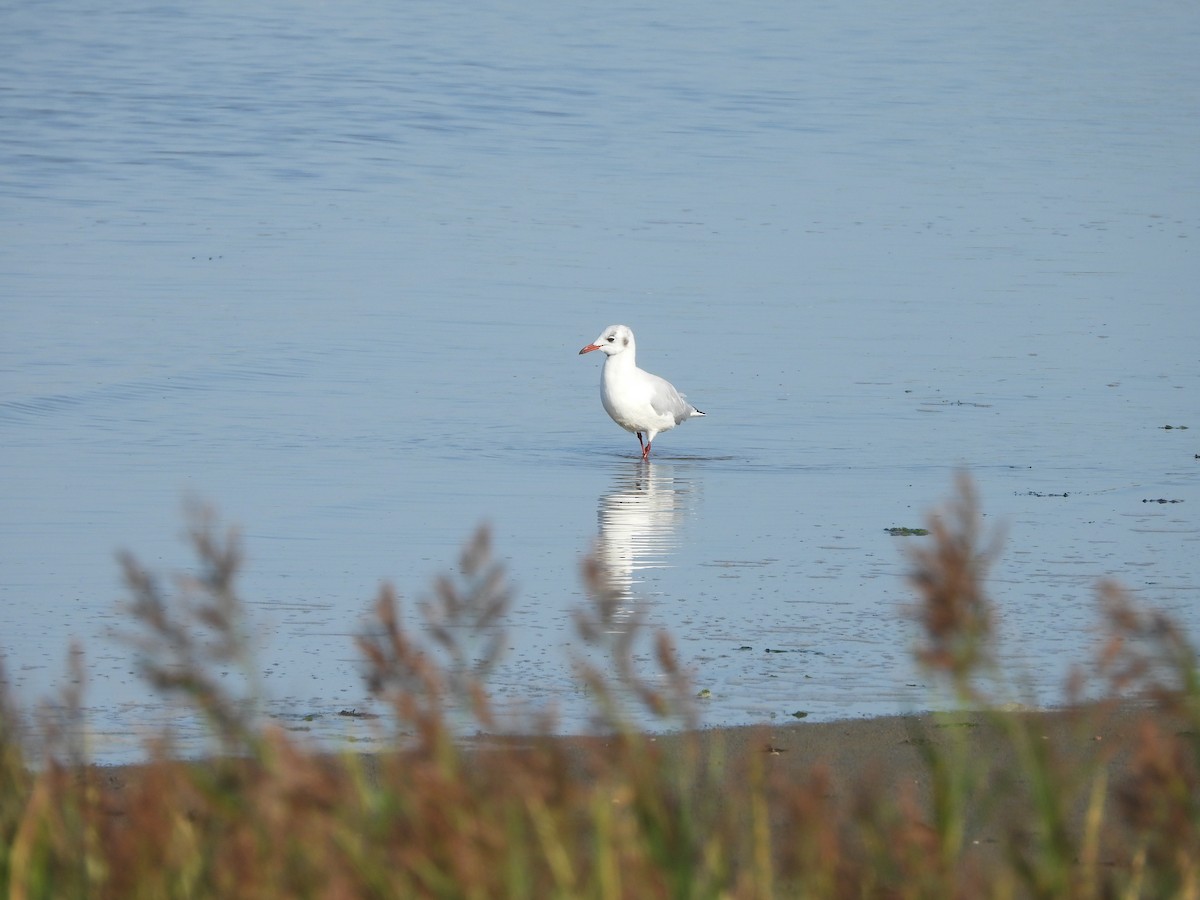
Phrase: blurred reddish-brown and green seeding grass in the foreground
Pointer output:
(622, 814)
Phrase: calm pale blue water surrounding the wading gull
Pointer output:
(327, 268)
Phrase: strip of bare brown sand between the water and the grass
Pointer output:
(885, 757)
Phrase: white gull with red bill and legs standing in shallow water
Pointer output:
(637, 400)
